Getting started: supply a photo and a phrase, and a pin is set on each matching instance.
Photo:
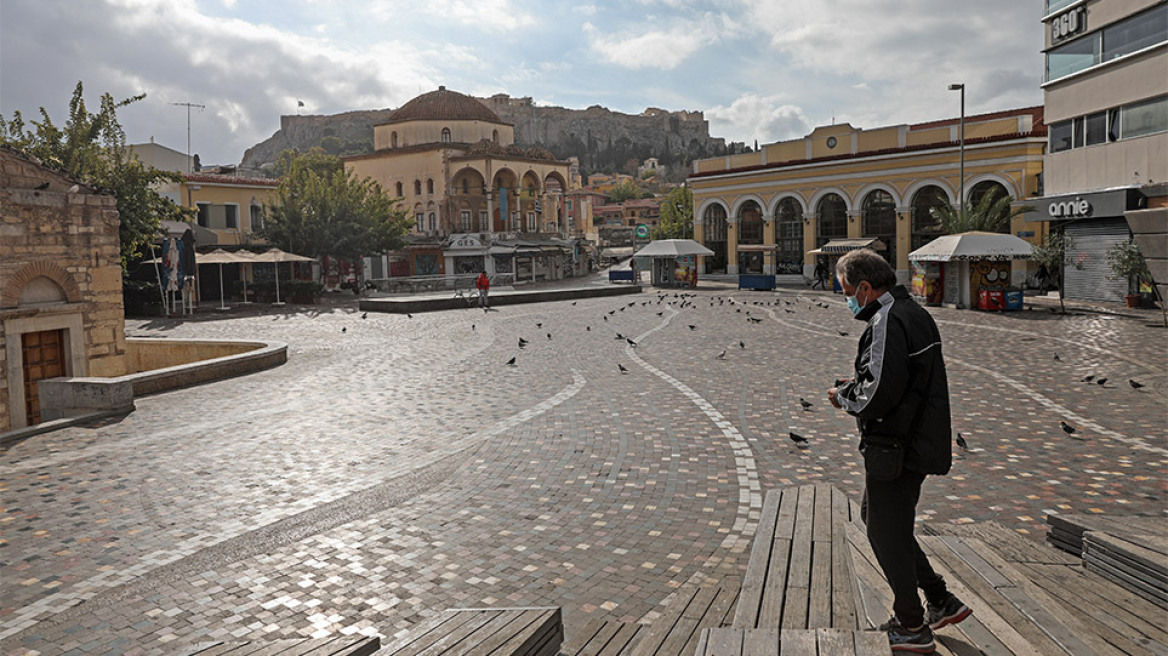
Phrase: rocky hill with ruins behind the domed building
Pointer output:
(602, 139)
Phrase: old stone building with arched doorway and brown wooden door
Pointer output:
(60, 285)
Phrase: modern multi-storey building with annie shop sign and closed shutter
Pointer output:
(1107, 169)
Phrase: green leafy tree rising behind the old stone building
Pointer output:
(93, 149)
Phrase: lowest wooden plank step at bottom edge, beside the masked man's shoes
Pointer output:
(791, 643)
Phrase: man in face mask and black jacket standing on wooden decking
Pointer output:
(900, 397)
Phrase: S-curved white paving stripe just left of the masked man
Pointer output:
(750, 493)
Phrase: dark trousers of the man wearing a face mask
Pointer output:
(891, 510)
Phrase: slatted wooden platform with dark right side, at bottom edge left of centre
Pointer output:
(483, 632)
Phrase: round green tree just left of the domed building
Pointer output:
(319, 210)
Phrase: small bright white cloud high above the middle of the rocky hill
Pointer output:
(656, 50)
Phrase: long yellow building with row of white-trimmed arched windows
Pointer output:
(763, 212)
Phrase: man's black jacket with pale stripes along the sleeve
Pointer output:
(900, 369)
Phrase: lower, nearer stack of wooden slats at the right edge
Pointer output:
(1139, 564)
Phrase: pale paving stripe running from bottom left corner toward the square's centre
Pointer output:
(52, 605)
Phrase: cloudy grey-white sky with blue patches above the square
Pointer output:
(762, 71)
